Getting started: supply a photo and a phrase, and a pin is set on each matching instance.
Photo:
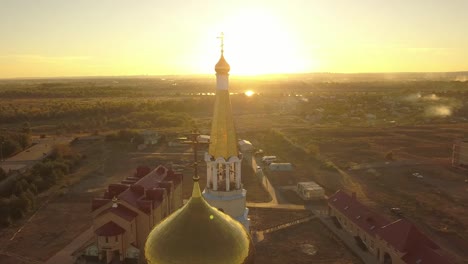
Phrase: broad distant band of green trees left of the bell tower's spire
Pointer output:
(104, 114)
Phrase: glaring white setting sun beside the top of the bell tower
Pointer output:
(257, 42)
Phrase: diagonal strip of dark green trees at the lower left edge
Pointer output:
(21, 198)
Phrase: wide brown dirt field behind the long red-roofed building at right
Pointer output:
(436, 203)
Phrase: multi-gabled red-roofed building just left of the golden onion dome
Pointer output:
(127, 212)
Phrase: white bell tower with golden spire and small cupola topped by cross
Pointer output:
(224, 180)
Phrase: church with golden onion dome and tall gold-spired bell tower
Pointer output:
(212, 227)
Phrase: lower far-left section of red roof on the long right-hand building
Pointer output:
(357, 212)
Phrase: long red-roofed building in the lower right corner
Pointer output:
(395, 242)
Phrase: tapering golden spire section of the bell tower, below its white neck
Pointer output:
(223, 139)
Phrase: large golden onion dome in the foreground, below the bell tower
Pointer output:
(199, 233)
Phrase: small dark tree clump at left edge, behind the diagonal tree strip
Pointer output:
(13, 142)
